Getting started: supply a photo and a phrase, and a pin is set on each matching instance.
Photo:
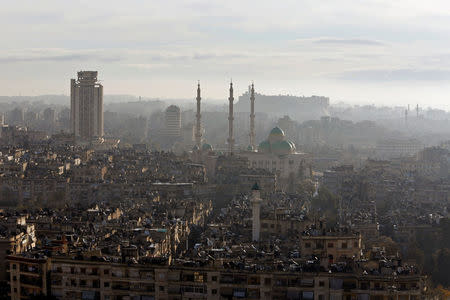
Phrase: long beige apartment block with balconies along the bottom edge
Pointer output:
(96, 279)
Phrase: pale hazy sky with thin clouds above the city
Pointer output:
(367, 51)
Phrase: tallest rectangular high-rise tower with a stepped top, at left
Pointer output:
(86, 105)
